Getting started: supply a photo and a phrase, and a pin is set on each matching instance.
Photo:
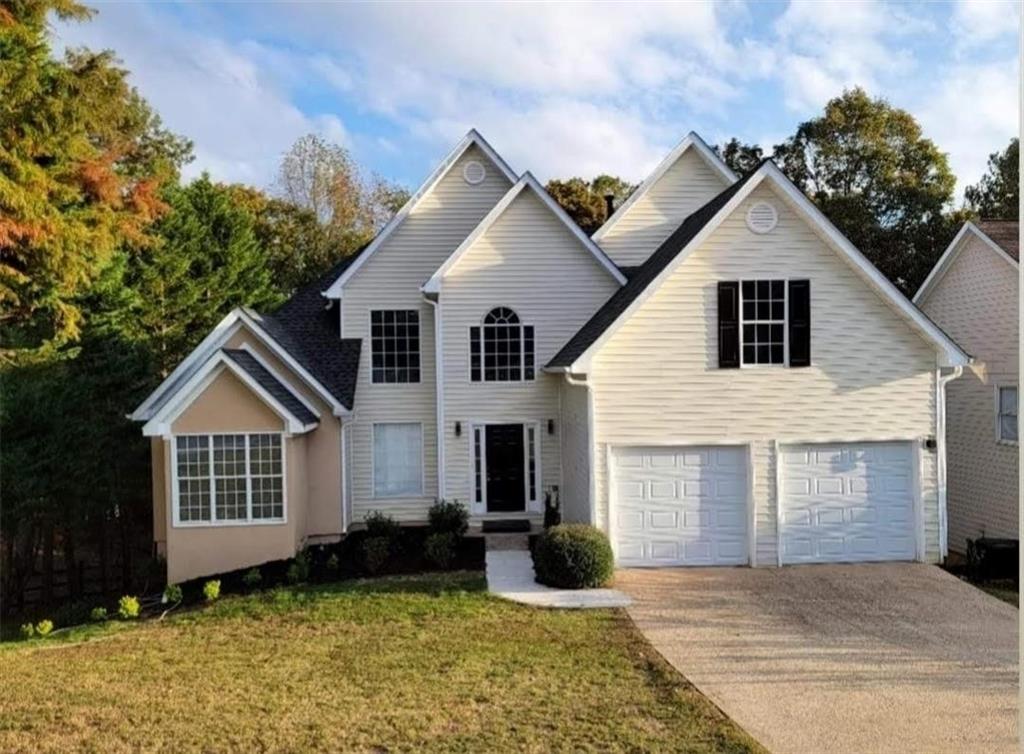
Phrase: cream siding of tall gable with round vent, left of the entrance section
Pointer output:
(392, 279)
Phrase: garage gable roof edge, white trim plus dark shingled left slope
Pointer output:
(577, 355)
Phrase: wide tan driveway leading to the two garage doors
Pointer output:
(868, 658)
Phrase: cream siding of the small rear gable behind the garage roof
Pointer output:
(689, 185)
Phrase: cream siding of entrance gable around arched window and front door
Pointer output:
(531, 263)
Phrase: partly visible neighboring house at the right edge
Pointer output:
(972, 295)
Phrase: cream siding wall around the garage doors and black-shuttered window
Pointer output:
(873, 376)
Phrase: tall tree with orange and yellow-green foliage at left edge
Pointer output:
(82, 158)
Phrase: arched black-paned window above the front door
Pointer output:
(502, 349)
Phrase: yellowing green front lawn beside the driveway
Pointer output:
(403, 664)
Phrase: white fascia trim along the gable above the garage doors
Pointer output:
(954, 355)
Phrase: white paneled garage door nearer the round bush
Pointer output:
(680, 507)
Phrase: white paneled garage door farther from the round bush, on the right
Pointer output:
(848, 502)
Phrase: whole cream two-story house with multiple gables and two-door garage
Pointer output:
(717, 378)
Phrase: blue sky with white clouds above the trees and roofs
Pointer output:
(560, 90)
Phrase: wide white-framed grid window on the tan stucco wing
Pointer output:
(230, 479)
